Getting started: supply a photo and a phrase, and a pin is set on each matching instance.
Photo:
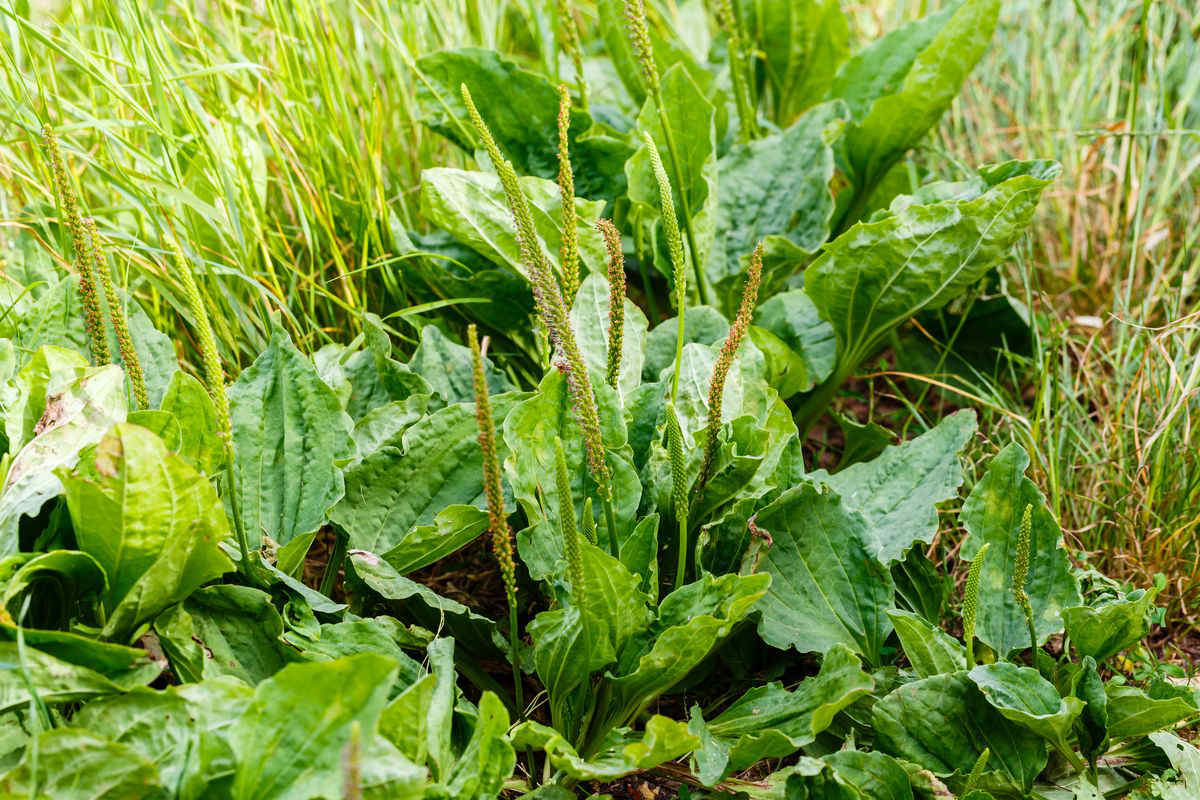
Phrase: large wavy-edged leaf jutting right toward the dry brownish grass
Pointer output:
(879, 274)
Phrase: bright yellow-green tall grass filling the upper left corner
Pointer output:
(279, 139)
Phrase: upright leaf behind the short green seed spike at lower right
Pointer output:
(993, 515)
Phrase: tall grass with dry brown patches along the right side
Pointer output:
(1112, 89)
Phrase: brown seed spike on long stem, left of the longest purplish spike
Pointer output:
(497, 519)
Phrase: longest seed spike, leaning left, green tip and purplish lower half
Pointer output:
(553, 311)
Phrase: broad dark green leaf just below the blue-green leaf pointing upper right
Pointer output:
(827, 588)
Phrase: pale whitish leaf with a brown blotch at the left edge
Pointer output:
(74, 419)
